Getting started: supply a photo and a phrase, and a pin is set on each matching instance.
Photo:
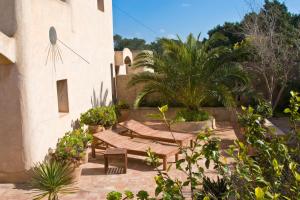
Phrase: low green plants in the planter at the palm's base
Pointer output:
(192, 115)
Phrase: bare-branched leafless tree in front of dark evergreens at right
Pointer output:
(273, 39)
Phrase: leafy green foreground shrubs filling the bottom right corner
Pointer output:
(273, 173)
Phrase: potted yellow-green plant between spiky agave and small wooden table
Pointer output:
(73, 149)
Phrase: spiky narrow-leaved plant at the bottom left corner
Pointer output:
(51, 179)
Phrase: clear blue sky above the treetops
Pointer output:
(149, 19)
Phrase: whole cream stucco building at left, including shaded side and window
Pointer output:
(45, 83)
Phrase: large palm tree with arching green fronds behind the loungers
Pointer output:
(189, 73)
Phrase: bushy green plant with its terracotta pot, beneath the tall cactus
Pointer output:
(98, 119)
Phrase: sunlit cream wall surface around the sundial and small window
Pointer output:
(87, 31)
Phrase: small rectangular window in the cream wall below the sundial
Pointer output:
(62, 96)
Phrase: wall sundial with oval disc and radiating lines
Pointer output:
(54, 49)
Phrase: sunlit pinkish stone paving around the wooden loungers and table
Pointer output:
(94, 184)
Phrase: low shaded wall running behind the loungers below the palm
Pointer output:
(142, 114)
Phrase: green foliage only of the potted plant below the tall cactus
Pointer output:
(104, 116)
